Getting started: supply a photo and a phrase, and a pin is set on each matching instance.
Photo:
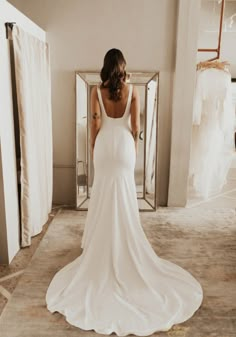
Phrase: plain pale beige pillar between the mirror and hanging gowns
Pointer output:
(184, 85)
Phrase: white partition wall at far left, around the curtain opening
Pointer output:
(9, 219)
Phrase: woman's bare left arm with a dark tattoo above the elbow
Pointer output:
(95, 117)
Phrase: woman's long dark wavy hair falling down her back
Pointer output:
(113, 70)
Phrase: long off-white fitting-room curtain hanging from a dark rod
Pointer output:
(33, 83)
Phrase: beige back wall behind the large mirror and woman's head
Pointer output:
(80, 32)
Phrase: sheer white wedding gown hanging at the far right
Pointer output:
(212, 147)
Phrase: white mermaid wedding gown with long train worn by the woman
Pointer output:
(118, 284)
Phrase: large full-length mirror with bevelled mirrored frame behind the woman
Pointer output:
(146, 161)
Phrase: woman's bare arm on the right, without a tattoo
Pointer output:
(135, 116)
